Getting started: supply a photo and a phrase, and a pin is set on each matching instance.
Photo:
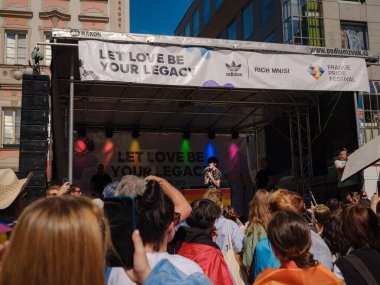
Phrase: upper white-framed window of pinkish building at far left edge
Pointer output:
(15, 48)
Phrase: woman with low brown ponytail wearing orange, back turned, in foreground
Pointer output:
(289, 236)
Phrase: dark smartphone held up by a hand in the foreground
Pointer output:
(120, 212)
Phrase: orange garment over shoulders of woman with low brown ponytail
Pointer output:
(292, 275)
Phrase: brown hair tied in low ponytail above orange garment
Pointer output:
(289, 235)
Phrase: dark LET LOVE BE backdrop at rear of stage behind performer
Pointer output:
(179, 161)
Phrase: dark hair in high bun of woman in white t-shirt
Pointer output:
(154, 213)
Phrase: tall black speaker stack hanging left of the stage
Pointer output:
(34, 132)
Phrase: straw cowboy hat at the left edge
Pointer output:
(10, 187)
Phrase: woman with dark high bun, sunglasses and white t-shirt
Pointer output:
(156, 220)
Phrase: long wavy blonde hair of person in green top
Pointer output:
(259, 210)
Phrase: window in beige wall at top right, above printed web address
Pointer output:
(354, 36)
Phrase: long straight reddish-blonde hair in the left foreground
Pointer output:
(57, 241)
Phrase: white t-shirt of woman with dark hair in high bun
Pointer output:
(187, 266)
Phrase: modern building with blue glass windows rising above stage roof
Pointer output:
(352, 24)
